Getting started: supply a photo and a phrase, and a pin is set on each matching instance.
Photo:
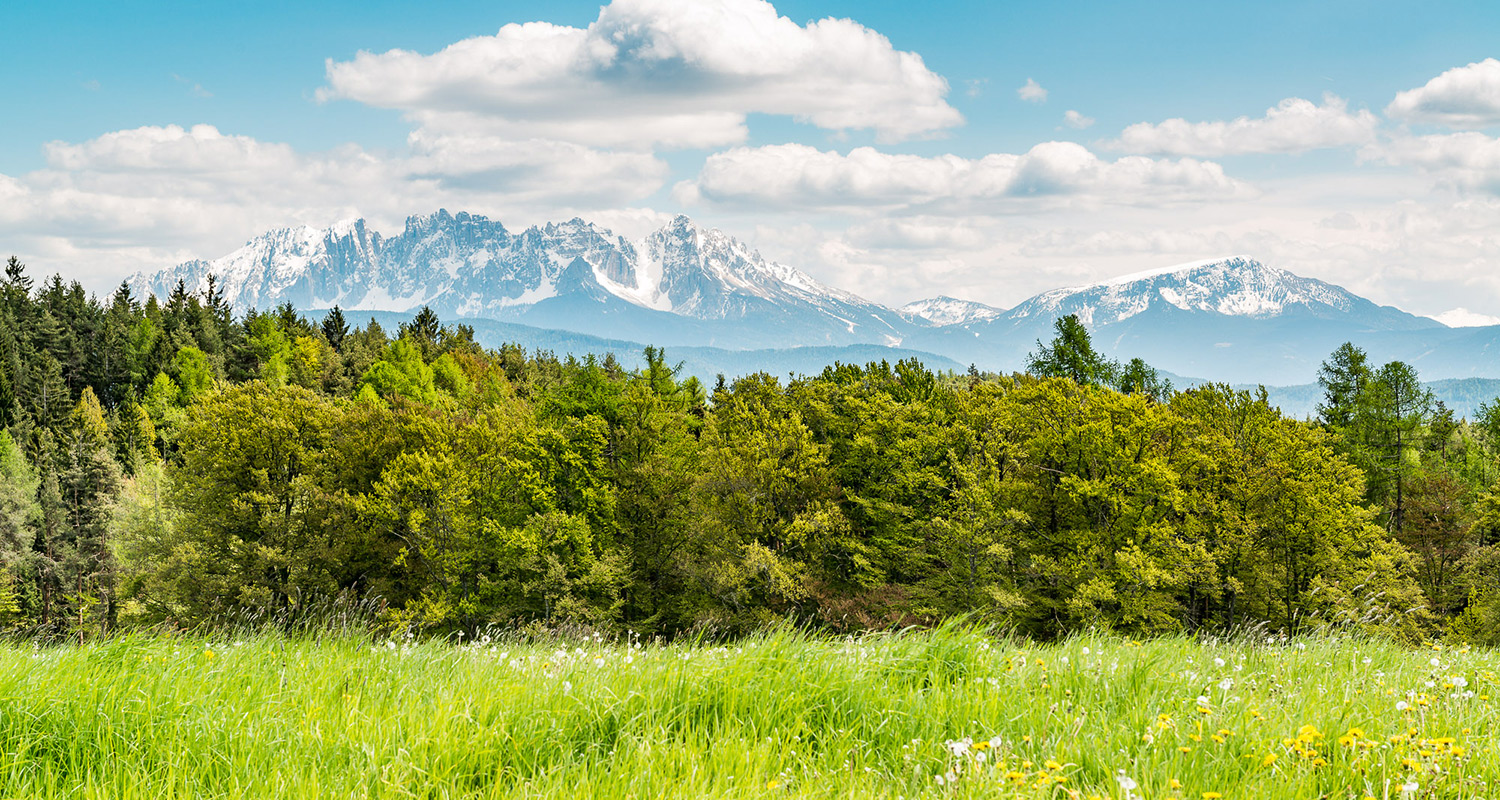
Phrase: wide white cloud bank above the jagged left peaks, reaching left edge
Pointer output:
(161, 193)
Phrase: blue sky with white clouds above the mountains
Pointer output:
(985, 151)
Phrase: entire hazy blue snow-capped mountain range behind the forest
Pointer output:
(1226, 320)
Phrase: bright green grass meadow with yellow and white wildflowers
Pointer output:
(919, 715)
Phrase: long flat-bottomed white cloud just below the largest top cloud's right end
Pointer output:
(802, 176)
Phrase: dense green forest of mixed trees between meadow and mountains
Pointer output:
(169, 463)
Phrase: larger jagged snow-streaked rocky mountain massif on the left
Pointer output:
(470, 266)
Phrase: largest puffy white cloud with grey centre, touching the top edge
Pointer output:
(656, 73)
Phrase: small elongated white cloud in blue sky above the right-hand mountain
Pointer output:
(1294, 127)
